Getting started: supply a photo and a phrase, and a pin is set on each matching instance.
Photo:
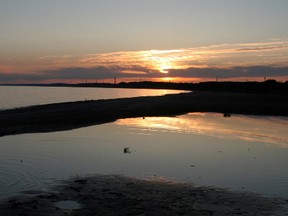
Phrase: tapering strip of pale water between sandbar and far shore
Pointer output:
(19, 96)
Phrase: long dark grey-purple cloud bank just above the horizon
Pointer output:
(79, 73)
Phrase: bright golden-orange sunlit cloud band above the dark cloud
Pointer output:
(222, 55)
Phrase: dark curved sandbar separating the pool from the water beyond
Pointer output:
(71, 115)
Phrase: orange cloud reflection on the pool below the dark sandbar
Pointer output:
(271, 130)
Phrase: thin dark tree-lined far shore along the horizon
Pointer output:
(266, 87)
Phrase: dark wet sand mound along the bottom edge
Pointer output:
(118, 195)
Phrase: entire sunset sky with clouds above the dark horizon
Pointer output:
(43, 41)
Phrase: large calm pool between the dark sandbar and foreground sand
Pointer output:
(240, 153)
